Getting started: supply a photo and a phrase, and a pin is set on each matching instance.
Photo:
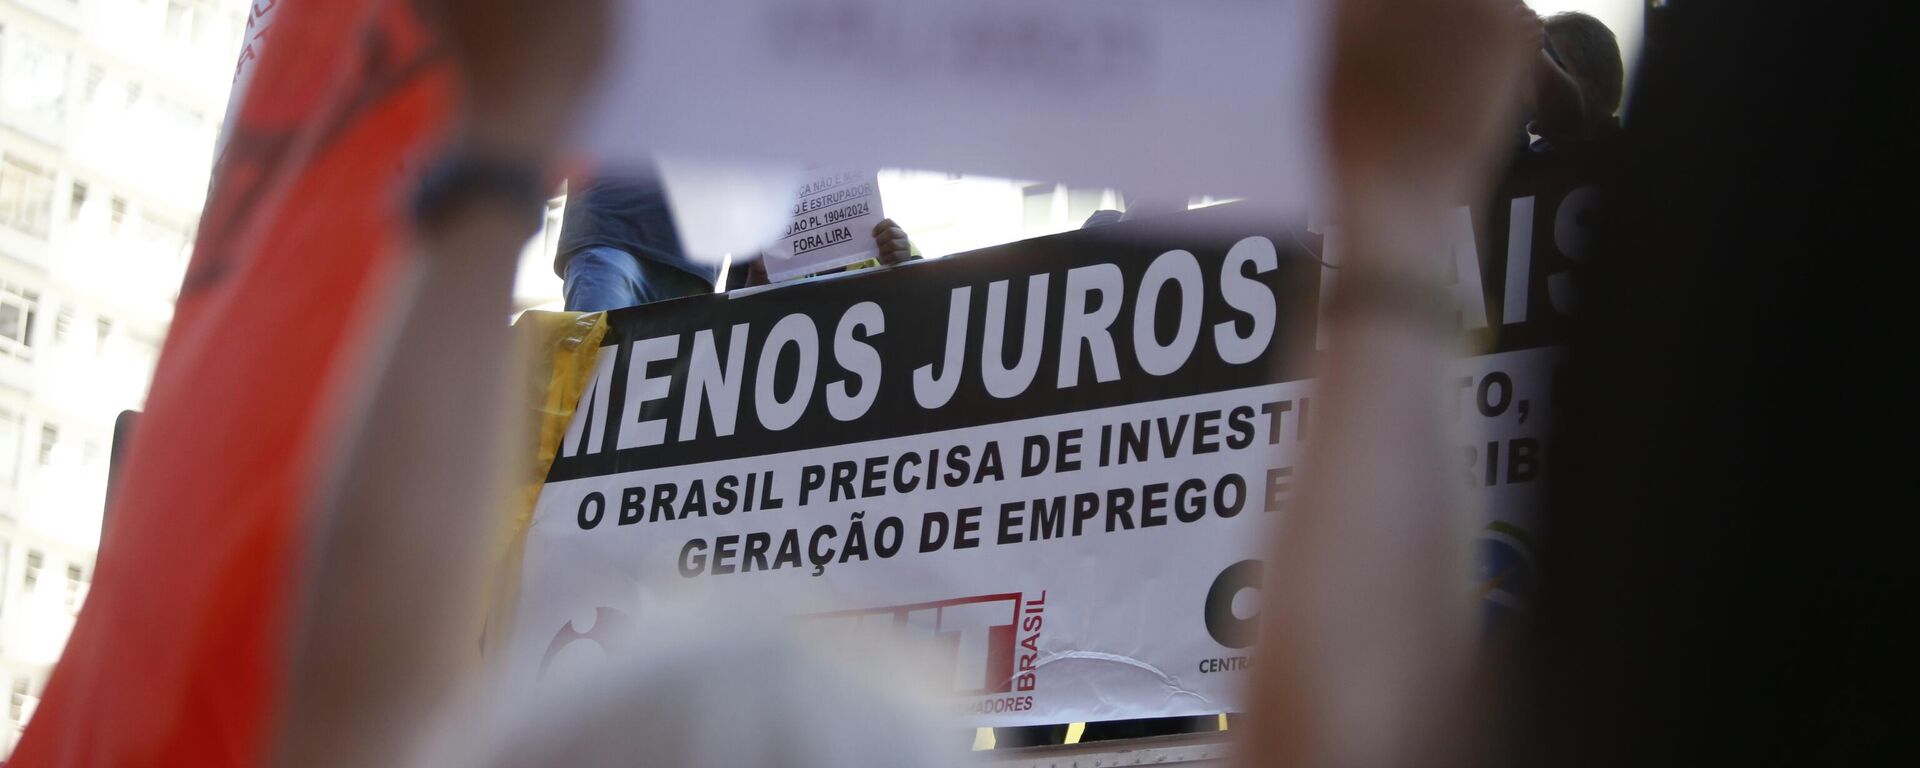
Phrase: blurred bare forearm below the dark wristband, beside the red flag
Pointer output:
(395, 592)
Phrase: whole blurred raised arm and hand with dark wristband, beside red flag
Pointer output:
(402, 525)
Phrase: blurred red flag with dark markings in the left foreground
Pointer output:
(180, 656)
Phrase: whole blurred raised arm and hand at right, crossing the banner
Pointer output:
(1368, 619)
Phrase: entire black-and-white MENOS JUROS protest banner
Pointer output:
(1057, 458)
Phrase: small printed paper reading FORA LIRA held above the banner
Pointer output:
(830, 226)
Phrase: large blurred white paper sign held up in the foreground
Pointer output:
(1205, 97)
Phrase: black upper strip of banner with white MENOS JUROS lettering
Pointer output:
(1211, 300)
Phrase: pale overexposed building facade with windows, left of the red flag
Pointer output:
(108, 118)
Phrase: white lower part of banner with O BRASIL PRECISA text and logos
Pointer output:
(1093, 565)
